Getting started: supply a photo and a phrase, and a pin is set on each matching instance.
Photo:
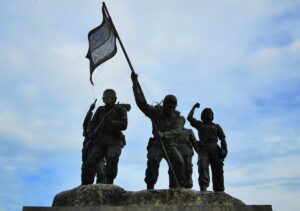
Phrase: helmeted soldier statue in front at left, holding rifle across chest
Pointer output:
(105, 130)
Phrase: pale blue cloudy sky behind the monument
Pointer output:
(240, 58)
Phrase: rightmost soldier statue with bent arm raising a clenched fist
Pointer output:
(210, 152)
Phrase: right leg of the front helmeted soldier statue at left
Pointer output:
(112, 159)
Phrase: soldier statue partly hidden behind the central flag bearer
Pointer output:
(186, 142)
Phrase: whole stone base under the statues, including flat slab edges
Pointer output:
(110, 197)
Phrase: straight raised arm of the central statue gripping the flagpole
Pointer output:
(139, 95)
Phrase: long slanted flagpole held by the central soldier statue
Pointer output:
(132, 70)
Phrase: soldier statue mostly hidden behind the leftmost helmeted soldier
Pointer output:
(87, 147)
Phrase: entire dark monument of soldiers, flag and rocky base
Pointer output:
(104, 140)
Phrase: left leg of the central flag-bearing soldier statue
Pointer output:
(154, 157)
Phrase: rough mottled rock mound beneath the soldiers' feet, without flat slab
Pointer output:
(101, 194)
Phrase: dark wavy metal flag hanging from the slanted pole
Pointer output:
(102, 43)
